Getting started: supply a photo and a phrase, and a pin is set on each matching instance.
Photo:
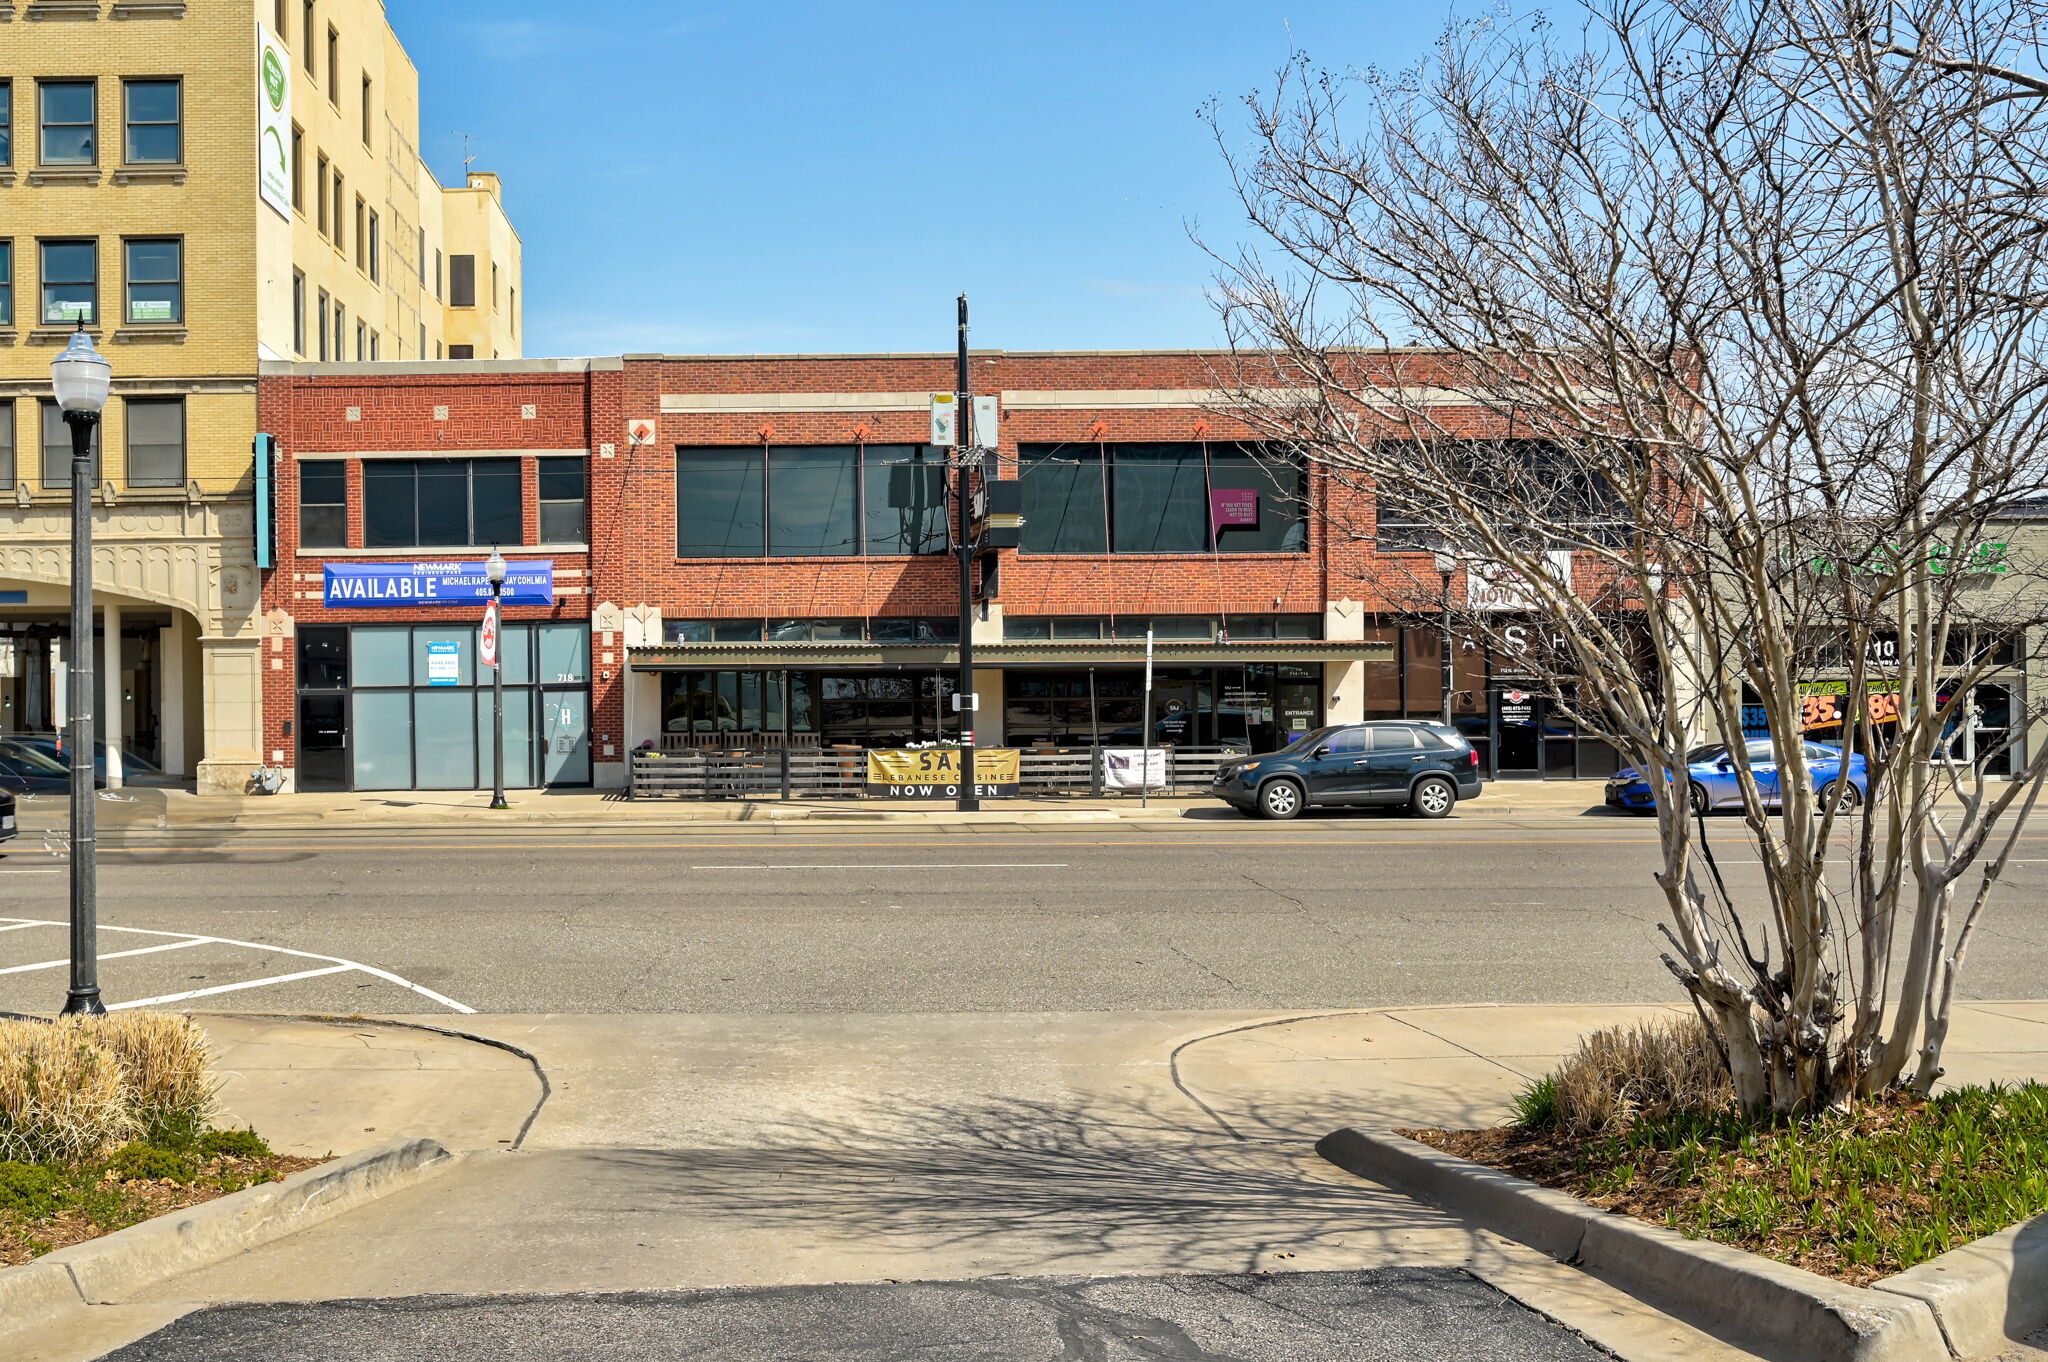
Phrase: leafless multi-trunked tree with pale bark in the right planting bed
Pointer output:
(1707, 345)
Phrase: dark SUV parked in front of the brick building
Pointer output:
(1396, 763)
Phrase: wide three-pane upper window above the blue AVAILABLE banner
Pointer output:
(441, 503)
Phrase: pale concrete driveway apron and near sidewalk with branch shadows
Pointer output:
(685, 1152)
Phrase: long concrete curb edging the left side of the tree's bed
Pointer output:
(1742, 1297)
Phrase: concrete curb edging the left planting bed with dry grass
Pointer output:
(140, 1257)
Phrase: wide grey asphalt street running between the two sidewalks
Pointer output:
(1345, 912)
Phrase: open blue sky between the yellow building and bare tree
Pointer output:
(706, 177)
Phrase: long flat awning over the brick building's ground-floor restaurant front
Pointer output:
(1013, 652)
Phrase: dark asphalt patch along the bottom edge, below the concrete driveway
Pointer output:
(1383, 1316)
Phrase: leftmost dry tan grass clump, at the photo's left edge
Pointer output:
(62, 1095)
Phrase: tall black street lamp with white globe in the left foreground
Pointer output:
(81, 378)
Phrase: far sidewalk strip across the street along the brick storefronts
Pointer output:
(439, 810)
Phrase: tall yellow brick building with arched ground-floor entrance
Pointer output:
(202, 187)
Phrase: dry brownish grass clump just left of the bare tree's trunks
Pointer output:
(1623, 1074)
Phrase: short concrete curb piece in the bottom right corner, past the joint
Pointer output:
(1988, 1293)
